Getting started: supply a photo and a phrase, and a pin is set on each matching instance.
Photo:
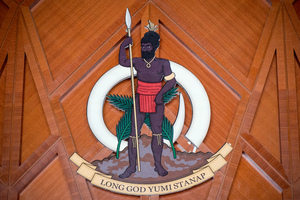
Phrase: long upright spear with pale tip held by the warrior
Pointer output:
(128, 24)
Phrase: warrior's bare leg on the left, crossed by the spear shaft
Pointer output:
(132, 150)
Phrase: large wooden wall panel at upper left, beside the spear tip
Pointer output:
(83, 33)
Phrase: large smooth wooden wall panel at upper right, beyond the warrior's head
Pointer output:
(223, 37)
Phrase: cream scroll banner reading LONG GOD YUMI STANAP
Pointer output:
(200, 175)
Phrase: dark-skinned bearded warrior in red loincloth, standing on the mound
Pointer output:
(149, 97)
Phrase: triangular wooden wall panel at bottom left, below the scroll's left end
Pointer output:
(53, 163)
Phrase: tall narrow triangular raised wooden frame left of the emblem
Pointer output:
(16, 170)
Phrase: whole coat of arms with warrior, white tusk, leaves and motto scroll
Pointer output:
(143, 165)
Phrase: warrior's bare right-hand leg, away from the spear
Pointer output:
(156, 120)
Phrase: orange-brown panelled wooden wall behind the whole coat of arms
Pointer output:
(246, 53)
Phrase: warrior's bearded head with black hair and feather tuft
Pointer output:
(150, 42)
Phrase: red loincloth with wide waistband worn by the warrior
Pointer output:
(147, 93)
